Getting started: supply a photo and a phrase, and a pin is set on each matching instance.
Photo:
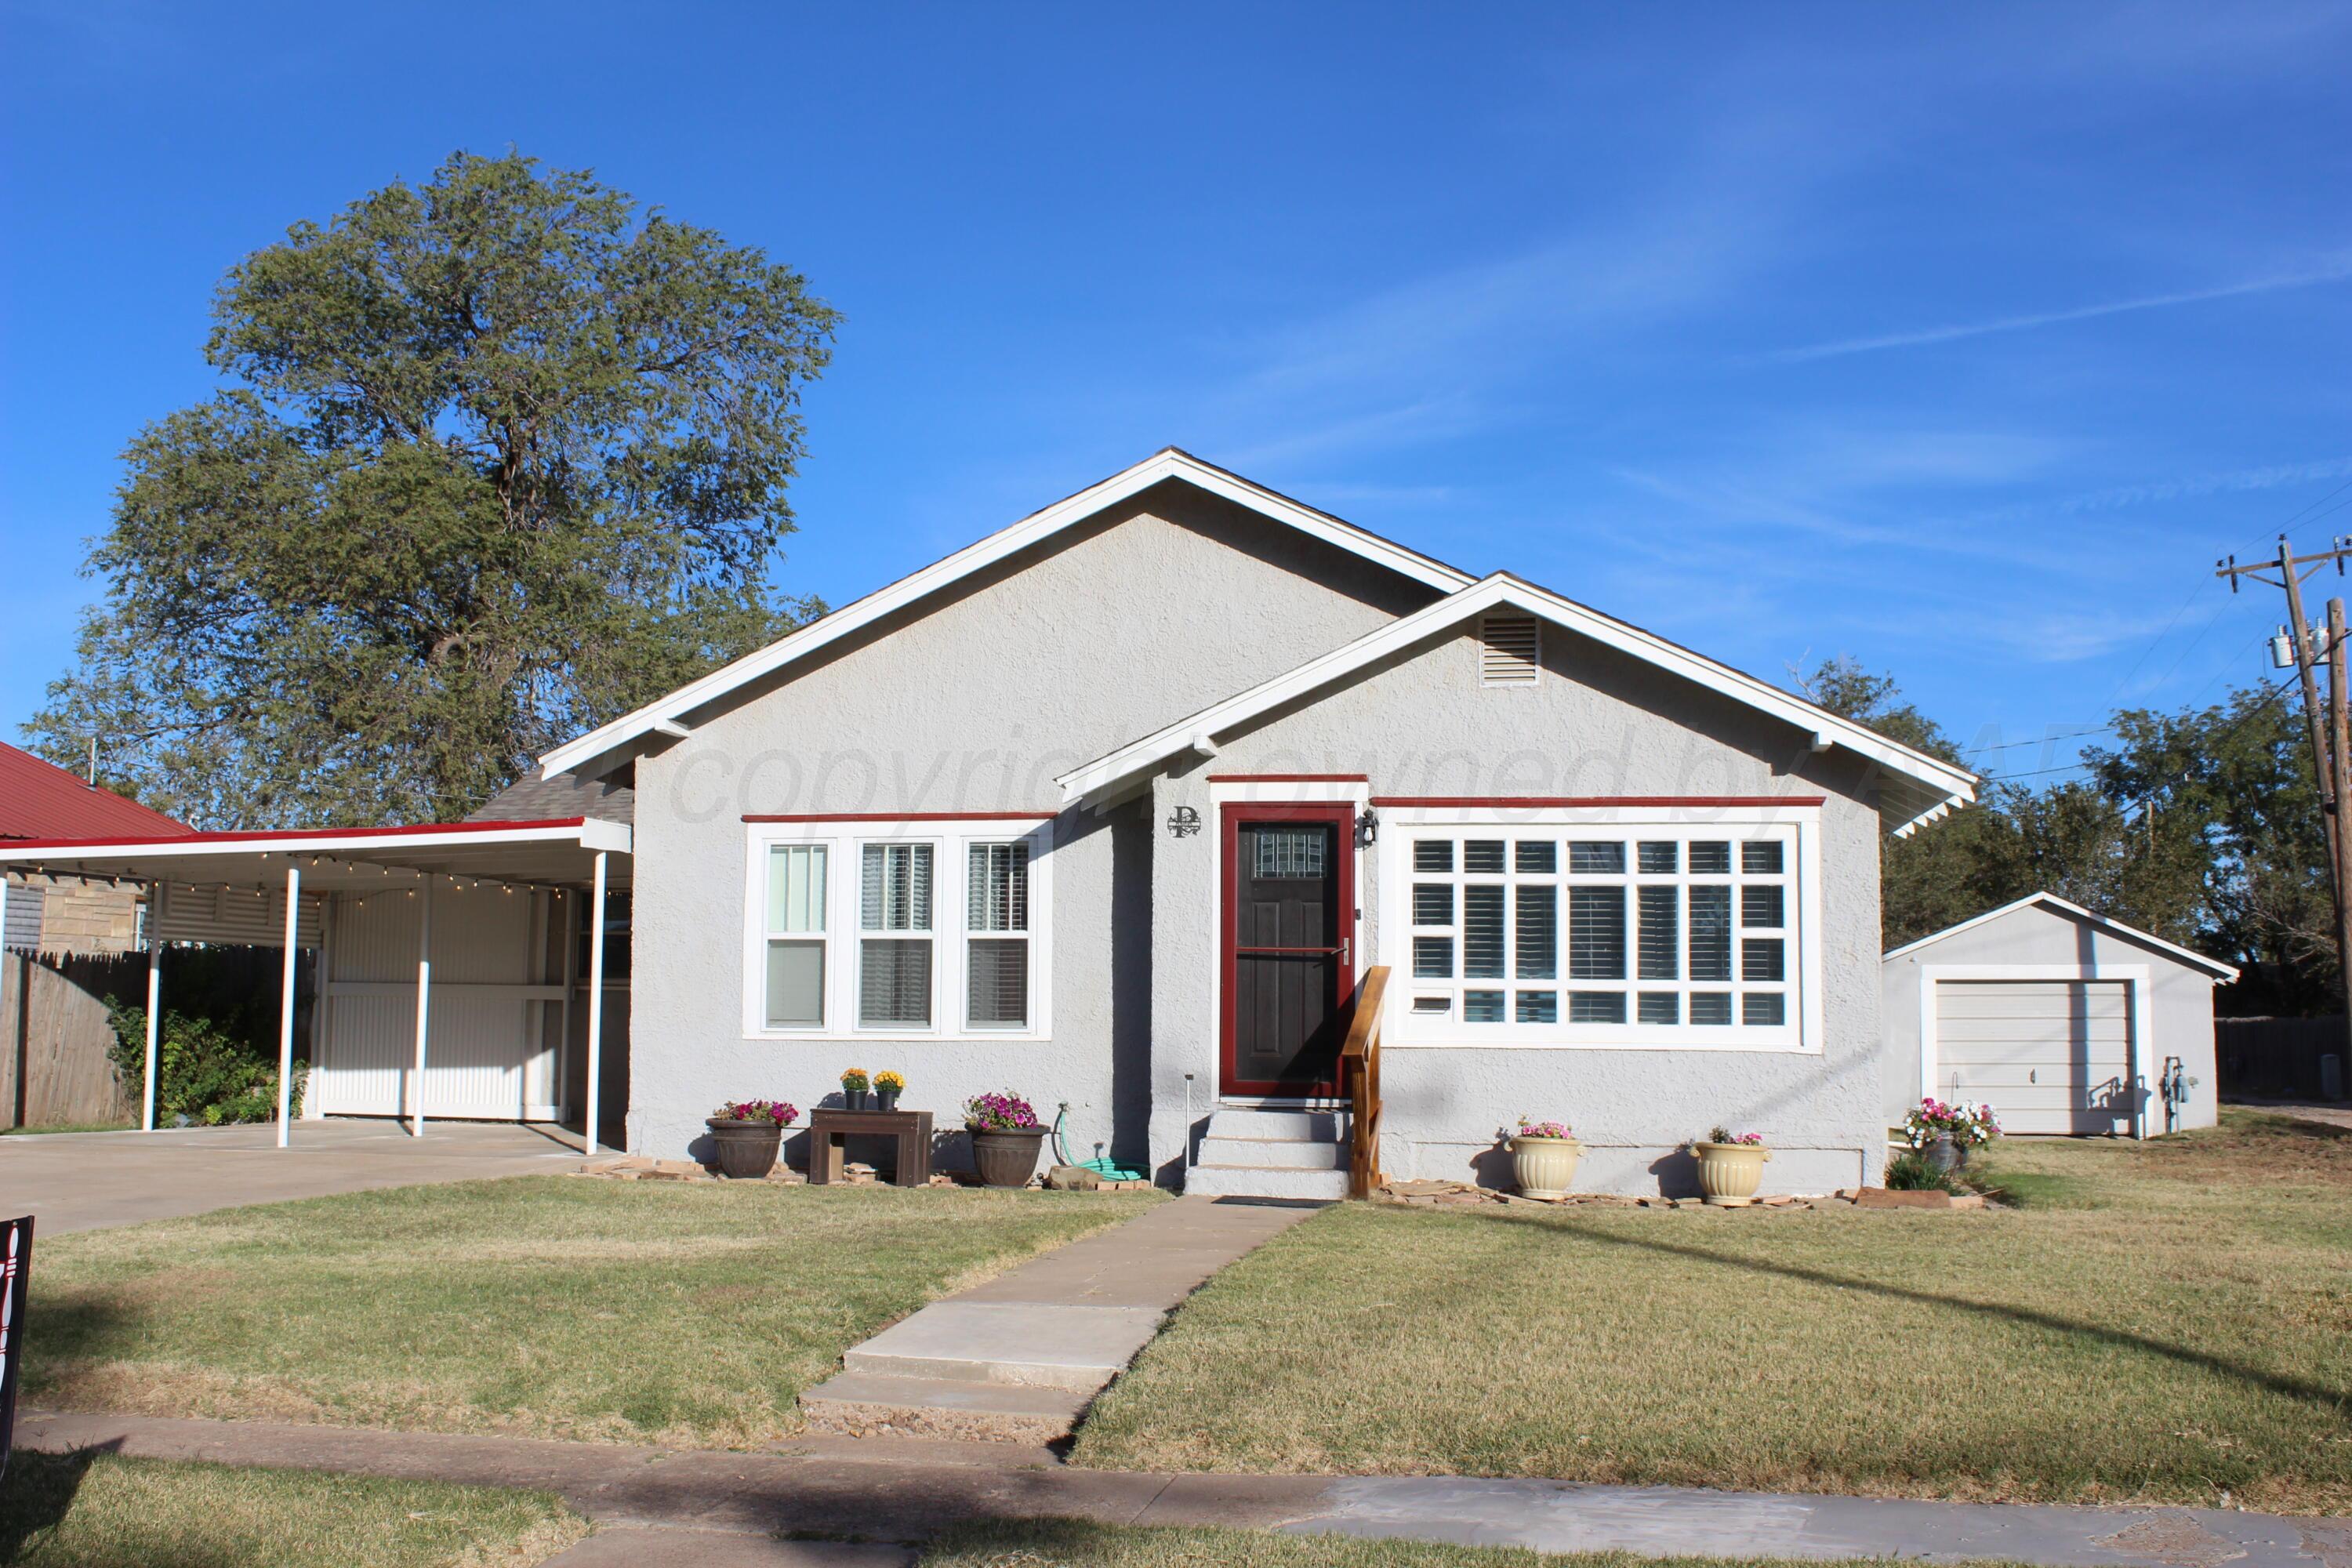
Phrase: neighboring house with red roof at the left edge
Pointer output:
(69, 916)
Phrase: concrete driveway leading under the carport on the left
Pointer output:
(88, 1181)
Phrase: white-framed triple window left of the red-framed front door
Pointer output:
(923, 930)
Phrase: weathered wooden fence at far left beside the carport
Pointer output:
(55, 1036)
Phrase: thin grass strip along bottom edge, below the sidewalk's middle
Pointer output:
(1067, 1543)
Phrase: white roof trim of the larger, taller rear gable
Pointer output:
(1168, 464)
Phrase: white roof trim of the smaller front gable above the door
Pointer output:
(1916, 786)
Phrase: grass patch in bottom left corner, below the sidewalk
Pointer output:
(109, 1513)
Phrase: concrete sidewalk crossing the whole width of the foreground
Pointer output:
(728, 1508)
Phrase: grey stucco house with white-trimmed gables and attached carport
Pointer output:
(1121, 805)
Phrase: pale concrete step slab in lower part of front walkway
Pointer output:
(1027, 1343)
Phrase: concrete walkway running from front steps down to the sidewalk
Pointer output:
(1020, 1358)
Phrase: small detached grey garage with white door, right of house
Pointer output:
(2062, 1019)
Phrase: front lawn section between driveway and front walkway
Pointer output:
(537, 1306)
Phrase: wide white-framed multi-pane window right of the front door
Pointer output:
(1542, 930)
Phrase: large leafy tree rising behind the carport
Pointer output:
(502, 460)
